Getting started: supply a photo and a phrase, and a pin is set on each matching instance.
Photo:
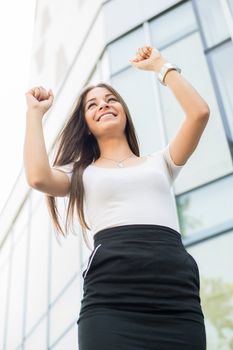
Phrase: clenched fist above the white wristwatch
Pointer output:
(148, 58)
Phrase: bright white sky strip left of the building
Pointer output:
(16, 38)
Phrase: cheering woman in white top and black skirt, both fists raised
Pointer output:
(141, 287)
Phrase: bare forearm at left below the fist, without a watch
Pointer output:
(36, 162)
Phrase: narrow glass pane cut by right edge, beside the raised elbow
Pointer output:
(222, 58)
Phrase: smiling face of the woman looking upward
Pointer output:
(104, 114)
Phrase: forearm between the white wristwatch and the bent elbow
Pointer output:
(189, 99)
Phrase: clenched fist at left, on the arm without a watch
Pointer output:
(39, 98)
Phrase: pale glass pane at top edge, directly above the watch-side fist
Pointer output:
(180, 19)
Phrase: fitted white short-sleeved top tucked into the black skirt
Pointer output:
(139, 194)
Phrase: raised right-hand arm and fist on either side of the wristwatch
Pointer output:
(194, 106)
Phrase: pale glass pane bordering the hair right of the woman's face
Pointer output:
(136, 87)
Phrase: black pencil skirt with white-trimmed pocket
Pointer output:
(140, 292)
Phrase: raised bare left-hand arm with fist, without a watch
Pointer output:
(39, 174)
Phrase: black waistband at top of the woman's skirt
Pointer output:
(137, 232)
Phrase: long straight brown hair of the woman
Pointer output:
(76, 146)
